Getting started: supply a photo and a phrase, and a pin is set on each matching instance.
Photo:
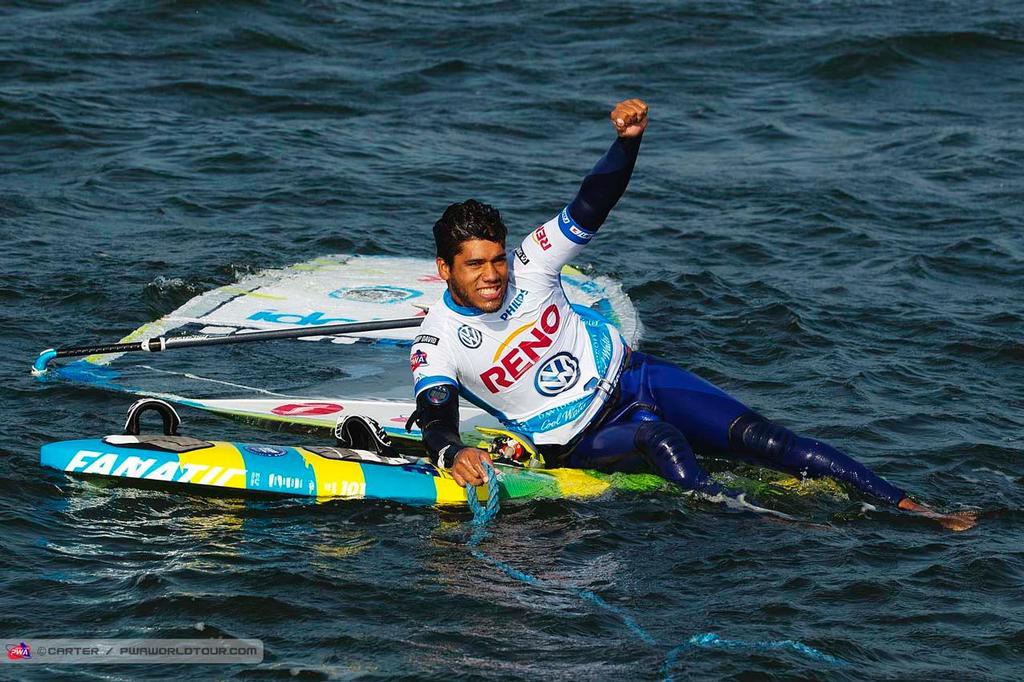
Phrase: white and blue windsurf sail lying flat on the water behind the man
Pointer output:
(328, 290)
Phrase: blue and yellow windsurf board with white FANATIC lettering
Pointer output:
(298, 472)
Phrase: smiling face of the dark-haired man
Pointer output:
(479, 276)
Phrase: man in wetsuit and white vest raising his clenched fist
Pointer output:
(506, 338)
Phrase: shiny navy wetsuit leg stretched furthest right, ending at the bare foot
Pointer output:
(712, 419)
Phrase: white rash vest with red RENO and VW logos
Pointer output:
(539, 364)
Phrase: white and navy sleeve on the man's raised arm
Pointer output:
(559, 241)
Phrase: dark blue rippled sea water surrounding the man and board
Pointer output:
(826, 221)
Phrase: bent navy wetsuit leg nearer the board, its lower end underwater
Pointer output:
(644, 445)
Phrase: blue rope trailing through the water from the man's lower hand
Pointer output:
(485, 515)
